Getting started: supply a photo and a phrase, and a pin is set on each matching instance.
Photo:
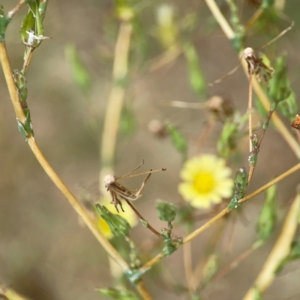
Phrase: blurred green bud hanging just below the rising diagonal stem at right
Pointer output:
(268, 215)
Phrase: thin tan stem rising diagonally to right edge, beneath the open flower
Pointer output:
(225, 211)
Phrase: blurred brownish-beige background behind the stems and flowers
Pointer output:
(45, 252)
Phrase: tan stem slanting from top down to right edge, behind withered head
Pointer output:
(258, 90)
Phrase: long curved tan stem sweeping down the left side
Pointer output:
(46, 166)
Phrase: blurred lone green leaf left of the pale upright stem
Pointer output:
(79, 71)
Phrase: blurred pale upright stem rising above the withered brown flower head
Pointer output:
(115, 102)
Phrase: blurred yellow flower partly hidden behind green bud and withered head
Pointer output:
(128, 214)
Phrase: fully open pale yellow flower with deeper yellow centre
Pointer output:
(206, 181)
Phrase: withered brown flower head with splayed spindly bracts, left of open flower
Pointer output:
(119, 192)
